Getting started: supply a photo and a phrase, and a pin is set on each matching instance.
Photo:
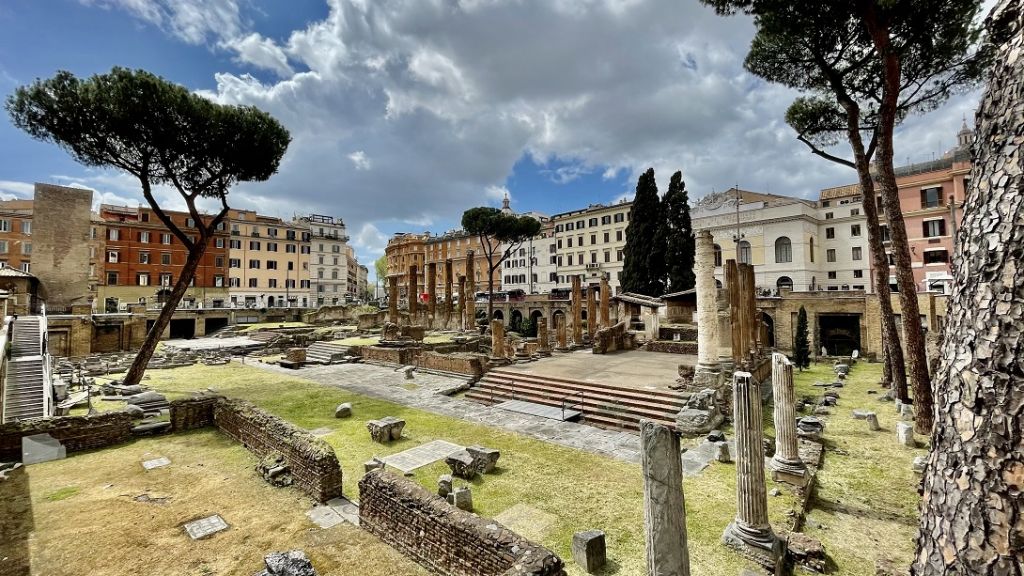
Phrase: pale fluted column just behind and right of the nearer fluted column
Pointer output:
(786, 465)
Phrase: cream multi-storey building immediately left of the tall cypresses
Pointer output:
(589, 243)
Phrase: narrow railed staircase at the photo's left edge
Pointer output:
(27, 393)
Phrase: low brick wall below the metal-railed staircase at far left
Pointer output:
(76, 433)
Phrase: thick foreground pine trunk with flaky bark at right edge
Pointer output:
(972, 514)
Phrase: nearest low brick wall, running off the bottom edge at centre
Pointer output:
(444, 539)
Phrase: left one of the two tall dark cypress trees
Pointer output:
(644, 266)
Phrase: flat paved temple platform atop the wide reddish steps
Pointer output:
(632, 369)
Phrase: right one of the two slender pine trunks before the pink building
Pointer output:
(915, 339)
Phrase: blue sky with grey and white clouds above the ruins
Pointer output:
(405, 113)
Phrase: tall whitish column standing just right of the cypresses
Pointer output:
(708, 368)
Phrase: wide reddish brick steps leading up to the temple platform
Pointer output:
(601, 404)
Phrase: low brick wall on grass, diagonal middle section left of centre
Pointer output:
(314, 464)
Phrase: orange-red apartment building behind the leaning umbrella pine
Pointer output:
(142, 260)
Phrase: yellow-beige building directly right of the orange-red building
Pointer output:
(269, 262)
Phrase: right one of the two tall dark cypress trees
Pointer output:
(679, 238)
